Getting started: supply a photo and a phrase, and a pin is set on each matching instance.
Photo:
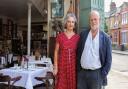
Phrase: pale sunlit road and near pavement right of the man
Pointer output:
(118, 76)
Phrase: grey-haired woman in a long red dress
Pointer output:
(65, 55)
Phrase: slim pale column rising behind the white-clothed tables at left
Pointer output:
(29, 29)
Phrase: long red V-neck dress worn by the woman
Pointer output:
(66, 77)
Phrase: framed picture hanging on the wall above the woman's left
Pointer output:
(57, 9)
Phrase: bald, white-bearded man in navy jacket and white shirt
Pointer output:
(94, 55)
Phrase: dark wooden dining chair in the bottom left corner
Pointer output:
(10, 81)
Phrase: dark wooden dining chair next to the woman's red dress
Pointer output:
(48, 80)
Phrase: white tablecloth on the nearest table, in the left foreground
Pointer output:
(28, 76)
